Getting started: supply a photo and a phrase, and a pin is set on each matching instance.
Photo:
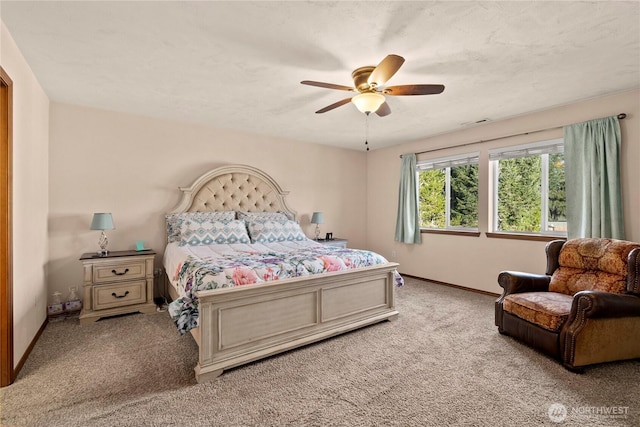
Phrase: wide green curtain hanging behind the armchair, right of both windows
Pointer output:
(592, 175)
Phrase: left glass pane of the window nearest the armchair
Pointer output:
(519, 196)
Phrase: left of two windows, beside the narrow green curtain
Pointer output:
(448, 192)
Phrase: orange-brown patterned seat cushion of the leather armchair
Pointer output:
(548, 310)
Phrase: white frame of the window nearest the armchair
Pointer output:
(541, 148)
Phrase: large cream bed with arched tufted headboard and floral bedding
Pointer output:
(234, 324)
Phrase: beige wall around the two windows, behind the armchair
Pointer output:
(475, 262)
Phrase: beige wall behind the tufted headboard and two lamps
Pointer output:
(132, 166)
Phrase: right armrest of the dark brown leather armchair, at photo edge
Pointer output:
(594, 304)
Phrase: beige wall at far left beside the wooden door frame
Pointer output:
(30, 196)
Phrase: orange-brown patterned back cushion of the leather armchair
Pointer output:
(592, 264)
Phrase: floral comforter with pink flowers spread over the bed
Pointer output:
(226, 270)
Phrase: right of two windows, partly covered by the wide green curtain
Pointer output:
(529, 188)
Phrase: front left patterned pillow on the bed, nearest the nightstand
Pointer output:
(195, 233)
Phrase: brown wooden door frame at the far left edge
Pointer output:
(7, 371)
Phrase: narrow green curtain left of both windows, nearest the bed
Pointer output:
(408, 220)
